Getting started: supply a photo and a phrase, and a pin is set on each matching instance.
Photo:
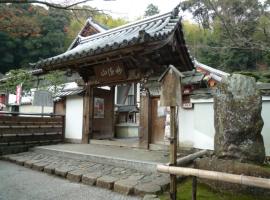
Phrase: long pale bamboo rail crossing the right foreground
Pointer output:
(217, 176)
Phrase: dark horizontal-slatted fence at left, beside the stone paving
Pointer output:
(30, 129)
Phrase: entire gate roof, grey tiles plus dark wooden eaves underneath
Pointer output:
(153, 42)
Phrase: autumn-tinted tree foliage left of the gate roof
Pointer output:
(29, 32)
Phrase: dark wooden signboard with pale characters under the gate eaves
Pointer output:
(110, 72)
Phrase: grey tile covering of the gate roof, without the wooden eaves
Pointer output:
(155, 28)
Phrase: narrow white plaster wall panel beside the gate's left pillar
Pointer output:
(74, 117)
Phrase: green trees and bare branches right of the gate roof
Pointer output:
(232, 35)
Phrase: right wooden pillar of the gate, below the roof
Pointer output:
(145, 120)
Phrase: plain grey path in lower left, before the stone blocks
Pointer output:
(17, 182)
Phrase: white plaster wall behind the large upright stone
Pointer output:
(197, 130)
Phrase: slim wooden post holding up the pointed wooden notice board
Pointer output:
(173, 152)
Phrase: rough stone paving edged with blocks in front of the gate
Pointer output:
(122, 180)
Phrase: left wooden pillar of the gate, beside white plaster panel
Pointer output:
(87, 114)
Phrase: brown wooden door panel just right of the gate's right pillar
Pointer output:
(158, 118)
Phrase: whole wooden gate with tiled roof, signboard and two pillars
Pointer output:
(129, 53)
